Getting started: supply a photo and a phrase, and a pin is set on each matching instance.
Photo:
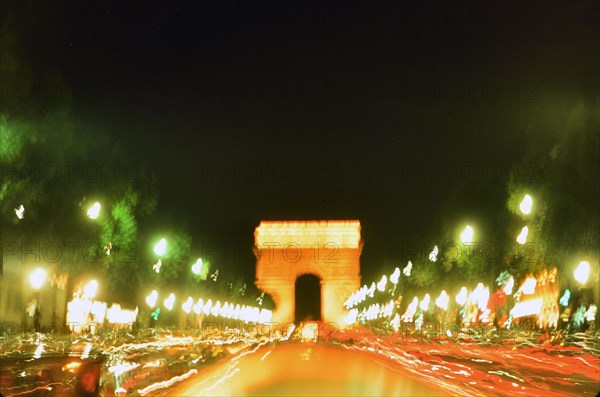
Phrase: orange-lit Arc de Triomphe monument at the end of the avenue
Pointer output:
(329, 250)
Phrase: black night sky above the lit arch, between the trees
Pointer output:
(325, 110)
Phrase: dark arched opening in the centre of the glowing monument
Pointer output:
(307, 298)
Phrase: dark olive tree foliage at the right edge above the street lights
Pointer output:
(561, 172)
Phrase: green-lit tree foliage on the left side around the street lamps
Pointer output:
(56, 165)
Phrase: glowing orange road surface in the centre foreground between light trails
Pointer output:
(305, 369)
